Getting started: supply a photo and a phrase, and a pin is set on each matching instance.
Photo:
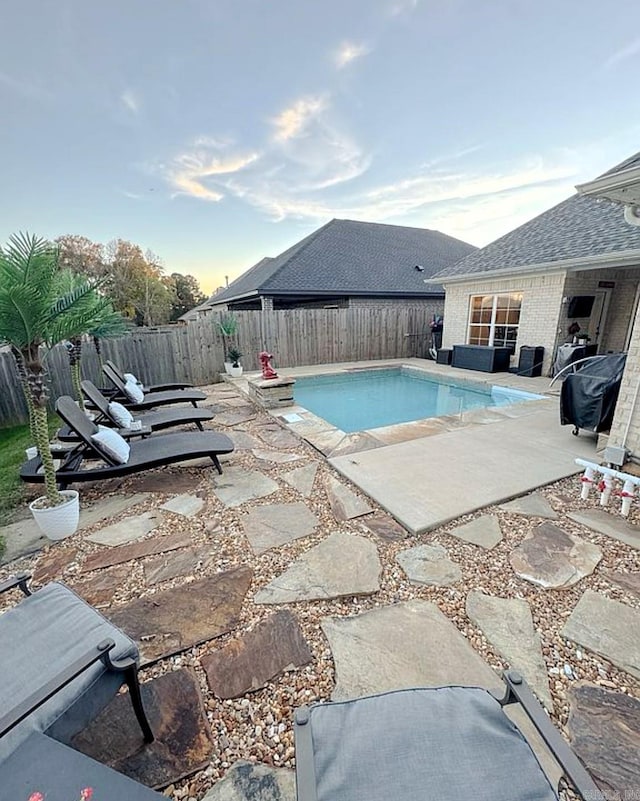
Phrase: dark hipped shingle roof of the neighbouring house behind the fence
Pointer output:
(354, 258)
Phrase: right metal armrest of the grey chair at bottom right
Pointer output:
(518, 692)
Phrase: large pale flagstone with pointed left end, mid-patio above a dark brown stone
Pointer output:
(342, 564)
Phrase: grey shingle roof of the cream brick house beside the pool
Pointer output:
(579, 227)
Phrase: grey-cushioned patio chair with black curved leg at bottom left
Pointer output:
(61, 662)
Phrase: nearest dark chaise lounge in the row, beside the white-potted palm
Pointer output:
(144, 454)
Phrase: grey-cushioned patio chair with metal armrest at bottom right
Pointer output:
(429, 744)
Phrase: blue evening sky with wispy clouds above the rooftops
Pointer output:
(217, 132)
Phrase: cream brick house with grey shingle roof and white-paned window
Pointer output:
(577, 264)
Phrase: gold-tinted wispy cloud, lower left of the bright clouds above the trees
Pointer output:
(194, 171)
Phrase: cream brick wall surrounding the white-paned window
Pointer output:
(541, 303)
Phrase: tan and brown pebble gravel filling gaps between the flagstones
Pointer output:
(259, 725)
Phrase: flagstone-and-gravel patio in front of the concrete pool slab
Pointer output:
(279, 583)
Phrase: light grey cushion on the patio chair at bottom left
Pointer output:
(41, 636)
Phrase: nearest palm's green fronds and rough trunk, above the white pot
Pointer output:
(33, 314)
